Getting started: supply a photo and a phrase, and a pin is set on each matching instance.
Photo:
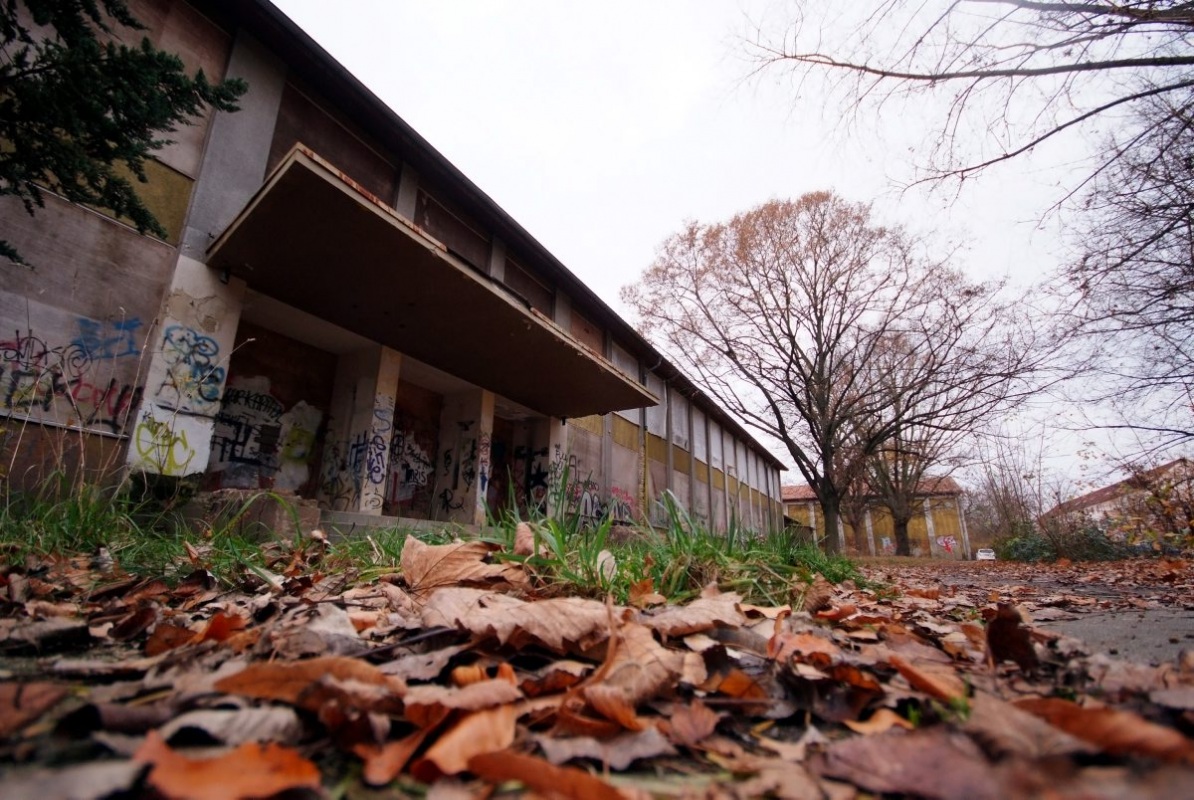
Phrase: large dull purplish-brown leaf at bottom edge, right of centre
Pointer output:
(907, 764)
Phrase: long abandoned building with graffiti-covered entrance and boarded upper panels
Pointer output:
(340, 313)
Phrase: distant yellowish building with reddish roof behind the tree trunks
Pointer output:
(938, 531)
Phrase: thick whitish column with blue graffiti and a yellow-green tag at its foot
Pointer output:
(188, 367)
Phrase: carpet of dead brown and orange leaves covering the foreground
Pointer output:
(454, 678)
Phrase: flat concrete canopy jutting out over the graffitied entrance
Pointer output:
(318, 242)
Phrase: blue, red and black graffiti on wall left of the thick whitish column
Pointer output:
(89, 381)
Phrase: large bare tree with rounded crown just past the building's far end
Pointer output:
(781, 313)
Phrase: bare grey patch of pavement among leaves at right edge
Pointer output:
(1147, 636)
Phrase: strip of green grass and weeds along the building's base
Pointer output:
(141, 528)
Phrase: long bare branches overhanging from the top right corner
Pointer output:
(1014, 73)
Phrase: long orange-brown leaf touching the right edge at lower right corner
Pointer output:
(1115, 731)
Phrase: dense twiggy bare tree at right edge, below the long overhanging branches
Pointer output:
(1133, 281)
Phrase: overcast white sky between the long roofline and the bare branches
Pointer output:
(601, 127)
